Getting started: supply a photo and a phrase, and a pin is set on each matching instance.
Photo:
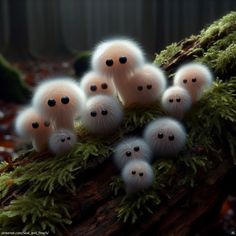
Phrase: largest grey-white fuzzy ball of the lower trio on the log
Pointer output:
(166, 136)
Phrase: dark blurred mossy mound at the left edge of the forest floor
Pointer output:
(13, 88)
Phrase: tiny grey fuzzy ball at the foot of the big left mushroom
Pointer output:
(62, 141)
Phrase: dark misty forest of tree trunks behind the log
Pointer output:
(59, 28)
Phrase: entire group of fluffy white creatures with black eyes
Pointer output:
(119, 77)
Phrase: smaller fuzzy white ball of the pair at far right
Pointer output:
(176, 101)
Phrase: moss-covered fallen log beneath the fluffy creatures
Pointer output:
(82, 194)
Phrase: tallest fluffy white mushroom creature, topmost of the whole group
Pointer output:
(118, 59)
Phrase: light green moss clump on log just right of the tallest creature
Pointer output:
(164, 56)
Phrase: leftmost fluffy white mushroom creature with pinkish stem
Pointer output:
(29, 124)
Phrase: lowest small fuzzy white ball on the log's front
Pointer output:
(137, 175)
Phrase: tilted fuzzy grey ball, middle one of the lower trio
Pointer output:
(131, 149)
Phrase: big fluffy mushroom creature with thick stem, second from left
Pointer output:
(60, 100)
